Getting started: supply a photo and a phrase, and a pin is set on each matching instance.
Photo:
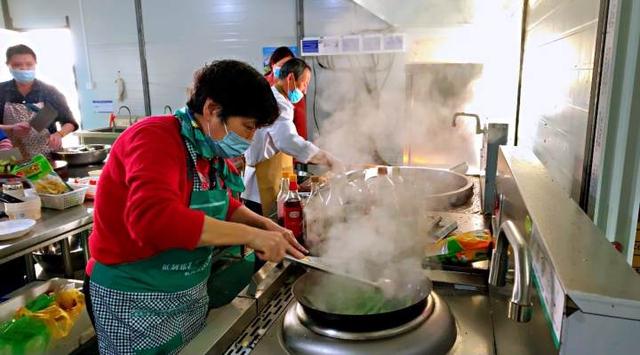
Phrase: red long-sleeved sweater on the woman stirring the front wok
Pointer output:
(142, 203)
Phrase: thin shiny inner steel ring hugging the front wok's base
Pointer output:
(367, 335)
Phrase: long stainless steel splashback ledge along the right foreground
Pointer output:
(590, 295)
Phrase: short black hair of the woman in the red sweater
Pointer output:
(237, 88)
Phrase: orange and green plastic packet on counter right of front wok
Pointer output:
(462, 248)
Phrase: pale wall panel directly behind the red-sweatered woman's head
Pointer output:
(182, 36)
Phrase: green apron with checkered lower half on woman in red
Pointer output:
(156, 305)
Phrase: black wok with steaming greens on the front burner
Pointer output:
(319, 293)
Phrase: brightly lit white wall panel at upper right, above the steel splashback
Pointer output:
(556, 85)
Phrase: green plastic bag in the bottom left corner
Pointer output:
(24, 336)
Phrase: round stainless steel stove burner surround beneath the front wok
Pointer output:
(432, 332)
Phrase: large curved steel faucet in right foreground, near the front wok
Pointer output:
(520, 306)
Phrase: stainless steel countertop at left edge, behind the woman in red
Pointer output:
(53, 226)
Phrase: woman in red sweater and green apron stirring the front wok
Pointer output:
(163, 204)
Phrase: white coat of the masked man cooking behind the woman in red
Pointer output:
(281, 136)
